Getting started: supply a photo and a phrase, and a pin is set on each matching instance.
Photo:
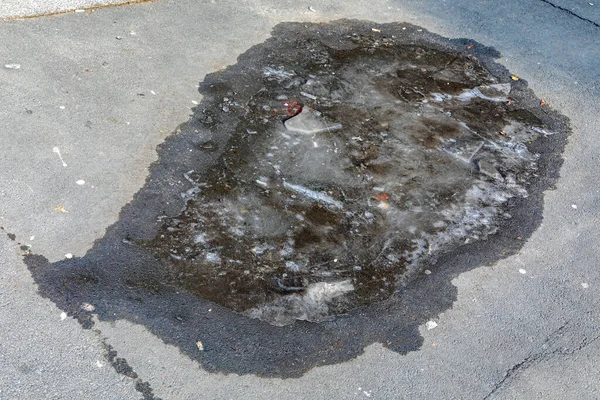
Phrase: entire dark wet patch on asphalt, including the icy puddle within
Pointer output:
(318, 179)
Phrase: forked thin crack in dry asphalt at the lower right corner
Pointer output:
(543, 355)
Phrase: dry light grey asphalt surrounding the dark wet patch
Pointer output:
(508, 335)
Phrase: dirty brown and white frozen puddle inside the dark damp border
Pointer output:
(347, 170)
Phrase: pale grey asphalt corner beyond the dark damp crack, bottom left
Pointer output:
(43, 354)
